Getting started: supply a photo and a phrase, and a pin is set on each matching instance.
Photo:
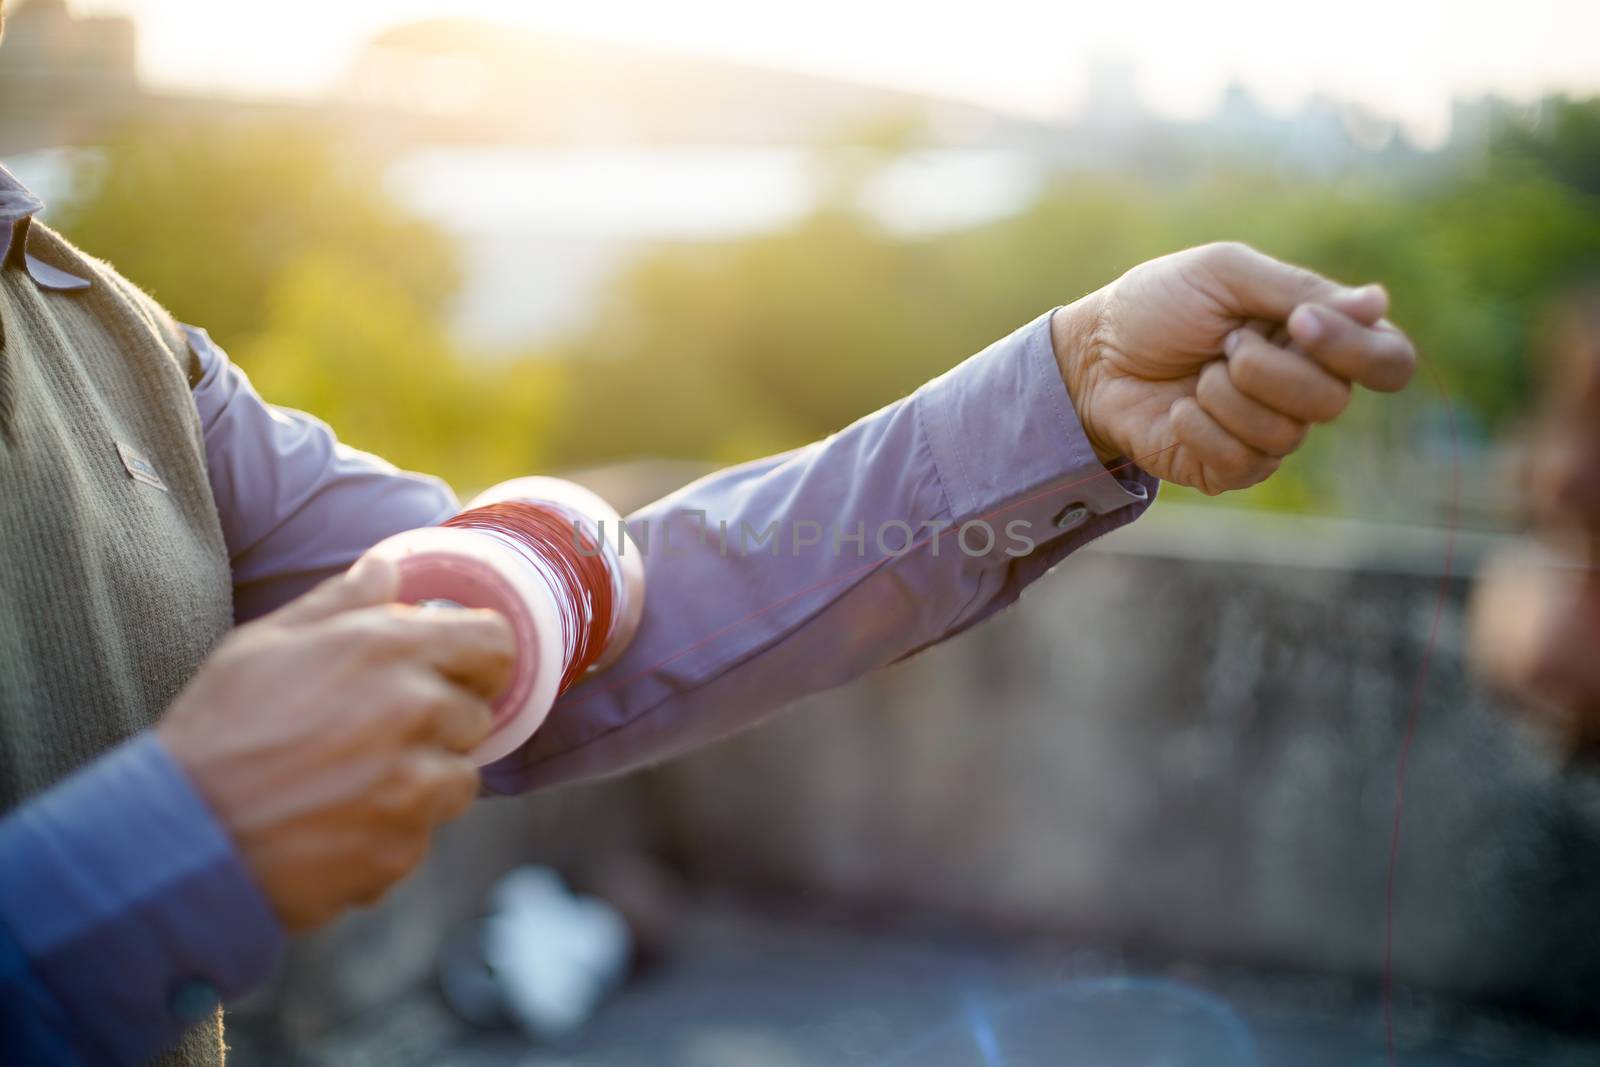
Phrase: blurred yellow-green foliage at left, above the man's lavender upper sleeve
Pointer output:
(287, 250)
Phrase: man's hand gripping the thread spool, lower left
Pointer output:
(330, 737)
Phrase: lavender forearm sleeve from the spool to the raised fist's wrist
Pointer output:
(798, 573)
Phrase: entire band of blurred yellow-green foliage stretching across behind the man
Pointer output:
(289, 250)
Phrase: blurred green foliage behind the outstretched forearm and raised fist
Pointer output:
(729, 351)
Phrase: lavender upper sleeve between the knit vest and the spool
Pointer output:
(297, 505)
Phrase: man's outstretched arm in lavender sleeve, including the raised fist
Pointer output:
(1204, 367)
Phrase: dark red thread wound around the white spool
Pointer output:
(577, 564)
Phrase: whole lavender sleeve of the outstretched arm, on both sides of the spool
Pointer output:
(732, 631)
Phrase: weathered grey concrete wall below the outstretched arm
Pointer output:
(1190, 740)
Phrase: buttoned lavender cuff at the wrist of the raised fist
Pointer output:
(1010, 447)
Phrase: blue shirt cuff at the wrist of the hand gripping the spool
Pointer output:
(132, 903)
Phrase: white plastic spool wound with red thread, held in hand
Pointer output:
(514, 551)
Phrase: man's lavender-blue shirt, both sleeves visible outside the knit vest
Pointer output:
(922, 519)
